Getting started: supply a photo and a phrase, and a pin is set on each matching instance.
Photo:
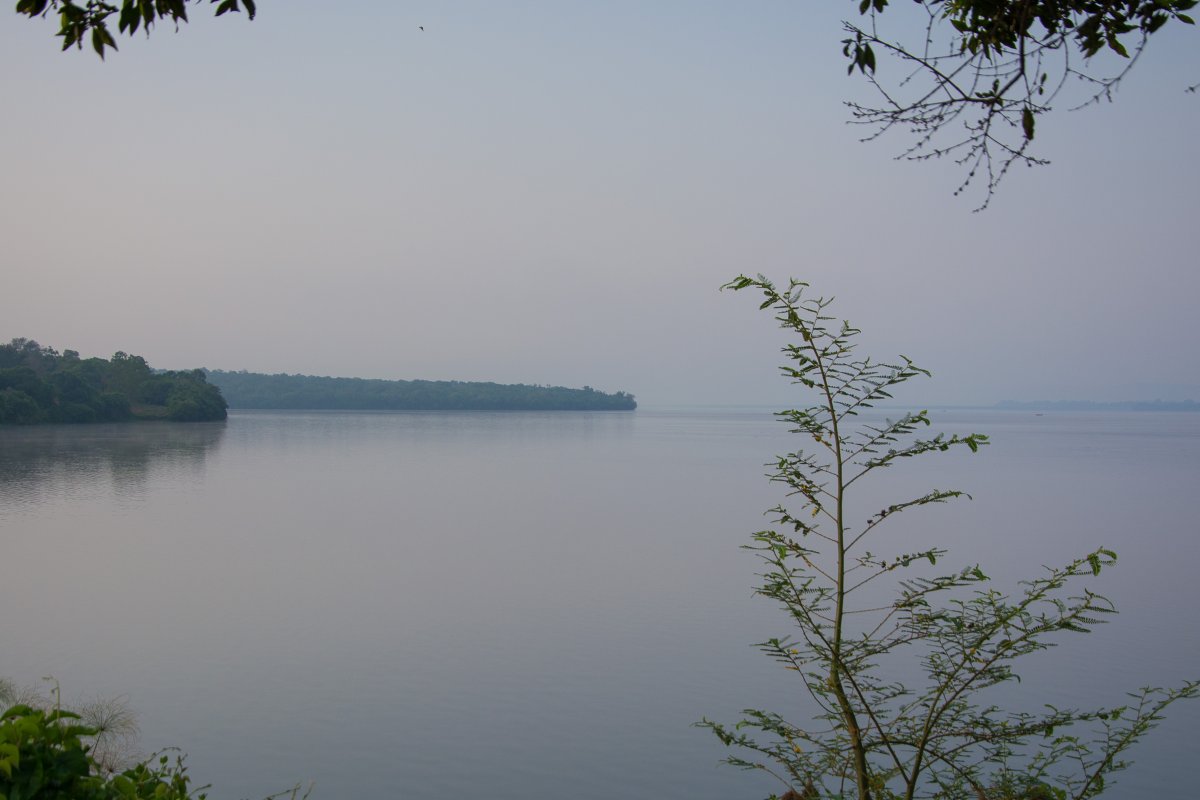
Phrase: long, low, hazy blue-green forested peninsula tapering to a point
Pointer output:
(250, 390)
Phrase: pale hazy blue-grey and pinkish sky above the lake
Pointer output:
(553, 193)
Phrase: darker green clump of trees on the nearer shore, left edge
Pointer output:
(39, 384)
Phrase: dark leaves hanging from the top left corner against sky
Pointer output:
(88, 20)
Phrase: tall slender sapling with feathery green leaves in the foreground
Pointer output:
(873, 736)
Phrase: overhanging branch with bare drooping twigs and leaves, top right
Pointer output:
(982, 73)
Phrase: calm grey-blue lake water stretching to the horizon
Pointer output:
(533, 605)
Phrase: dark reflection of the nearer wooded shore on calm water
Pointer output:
(44, 461)
